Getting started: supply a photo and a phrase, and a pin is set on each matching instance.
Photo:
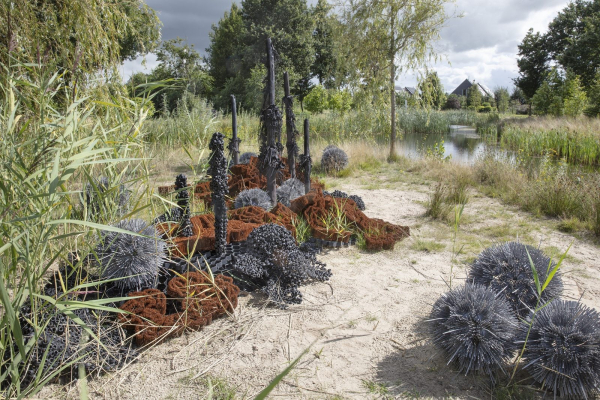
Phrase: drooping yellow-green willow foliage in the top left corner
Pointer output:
(74, 34)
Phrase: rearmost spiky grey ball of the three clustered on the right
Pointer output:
(506, 269)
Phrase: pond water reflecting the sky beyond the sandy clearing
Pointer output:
(462, 143)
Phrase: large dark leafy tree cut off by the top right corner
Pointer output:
(573, 39)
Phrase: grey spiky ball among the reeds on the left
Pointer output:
(136, 260)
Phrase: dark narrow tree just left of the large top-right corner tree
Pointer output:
(533, 63)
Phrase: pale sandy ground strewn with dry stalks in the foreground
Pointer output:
(364, 330)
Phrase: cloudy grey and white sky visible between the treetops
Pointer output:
(482, 45)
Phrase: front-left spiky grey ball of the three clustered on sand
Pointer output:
(475, 328)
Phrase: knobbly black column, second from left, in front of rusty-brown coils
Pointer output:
(219, 189)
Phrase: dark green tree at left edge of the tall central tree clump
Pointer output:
(224, 53)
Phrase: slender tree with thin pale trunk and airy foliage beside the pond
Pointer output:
(386, 37)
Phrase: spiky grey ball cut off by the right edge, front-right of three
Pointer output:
(563, 349)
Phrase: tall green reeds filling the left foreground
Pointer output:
(50, 150)
